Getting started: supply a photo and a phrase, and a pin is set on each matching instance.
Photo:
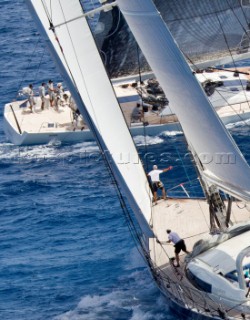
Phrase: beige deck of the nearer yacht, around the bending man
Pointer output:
(190, 219)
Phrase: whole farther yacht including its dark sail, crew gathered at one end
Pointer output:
(227, 90)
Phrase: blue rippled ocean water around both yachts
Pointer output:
(65, 249)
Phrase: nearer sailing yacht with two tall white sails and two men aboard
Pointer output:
(210, 282)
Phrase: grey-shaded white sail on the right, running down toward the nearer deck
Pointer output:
(223, 163)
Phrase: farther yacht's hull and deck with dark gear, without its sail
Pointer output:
(228, 92)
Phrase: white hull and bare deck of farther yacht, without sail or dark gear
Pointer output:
(232, 106)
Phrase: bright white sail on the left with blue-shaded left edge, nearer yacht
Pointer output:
(79, 62)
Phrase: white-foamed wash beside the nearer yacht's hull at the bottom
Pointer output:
(129, 304)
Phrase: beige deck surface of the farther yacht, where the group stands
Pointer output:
(50, 120)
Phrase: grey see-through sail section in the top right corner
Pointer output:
(209, 32)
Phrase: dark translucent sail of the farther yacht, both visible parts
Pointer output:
(209, 33)
